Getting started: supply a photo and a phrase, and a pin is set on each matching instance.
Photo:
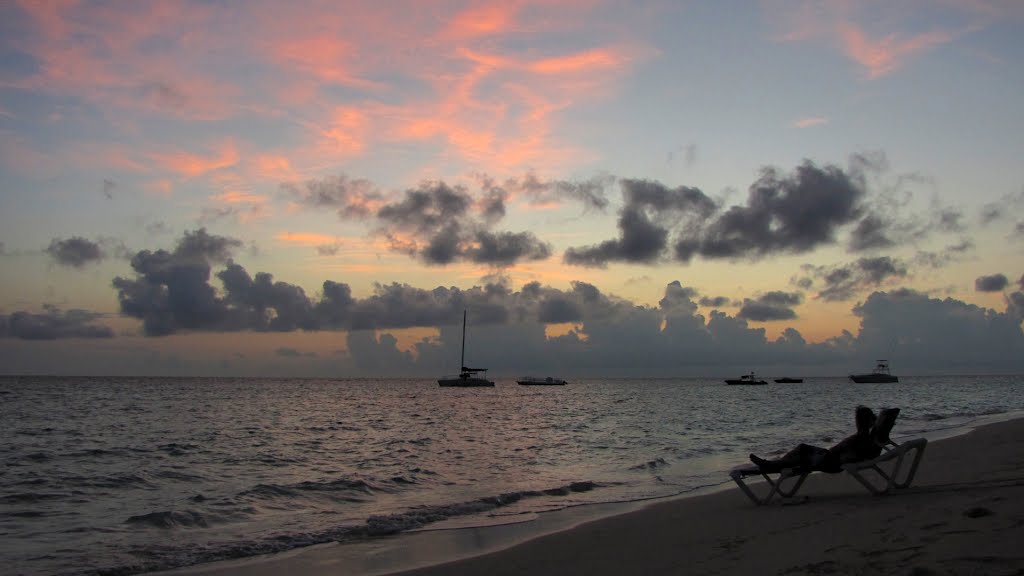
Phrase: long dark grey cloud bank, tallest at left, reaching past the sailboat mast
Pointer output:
(173, 293)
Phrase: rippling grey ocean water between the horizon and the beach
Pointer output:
(126, 476)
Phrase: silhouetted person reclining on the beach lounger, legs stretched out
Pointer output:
(861, 446)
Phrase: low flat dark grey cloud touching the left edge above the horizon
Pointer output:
(53, 324)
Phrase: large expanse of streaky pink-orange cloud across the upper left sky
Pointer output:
(435, 75)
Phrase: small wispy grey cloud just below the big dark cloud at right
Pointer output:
(844, 282)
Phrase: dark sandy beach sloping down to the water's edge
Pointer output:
(965, 515)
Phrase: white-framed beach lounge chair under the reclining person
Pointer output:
(891, 452)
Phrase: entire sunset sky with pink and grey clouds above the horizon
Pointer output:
(609, 189)
